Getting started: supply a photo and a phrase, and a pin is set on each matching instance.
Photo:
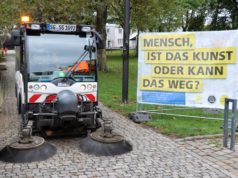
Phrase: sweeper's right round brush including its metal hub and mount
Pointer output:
(105, 142)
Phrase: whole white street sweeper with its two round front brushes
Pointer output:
(56, 85)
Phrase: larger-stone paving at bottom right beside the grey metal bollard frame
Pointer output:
(211, 149)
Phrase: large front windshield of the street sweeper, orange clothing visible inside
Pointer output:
(51, 56)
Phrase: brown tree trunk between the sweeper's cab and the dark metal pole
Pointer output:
(101, 20)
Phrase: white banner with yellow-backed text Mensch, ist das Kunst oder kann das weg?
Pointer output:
(197, 69)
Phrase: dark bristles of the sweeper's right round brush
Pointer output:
(90, 146)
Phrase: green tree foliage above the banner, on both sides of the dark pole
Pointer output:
(189, 15)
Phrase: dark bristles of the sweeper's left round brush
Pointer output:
(40, 153)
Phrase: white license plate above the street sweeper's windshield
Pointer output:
(61, 27)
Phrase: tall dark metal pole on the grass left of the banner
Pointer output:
(126, 51)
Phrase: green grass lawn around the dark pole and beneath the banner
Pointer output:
(110, 87)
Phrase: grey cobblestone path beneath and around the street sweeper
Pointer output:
(153, 155)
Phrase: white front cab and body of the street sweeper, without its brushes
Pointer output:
(56, 76)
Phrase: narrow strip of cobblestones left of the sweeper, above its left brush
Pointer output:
(9, 121)
